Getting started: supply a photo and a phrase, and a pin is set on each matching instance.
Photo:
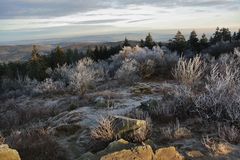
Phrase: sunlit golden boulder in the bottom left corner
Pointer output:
(7, 153)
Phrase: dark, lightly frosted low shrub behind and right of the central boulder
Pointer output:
(178, 103)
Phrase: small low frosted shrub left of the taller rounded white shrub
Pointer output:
(50, 86)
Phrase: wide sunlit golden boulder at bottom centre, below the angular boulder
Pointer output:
(137, 153)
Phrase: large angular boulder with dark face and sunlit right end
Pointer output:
(126, 128)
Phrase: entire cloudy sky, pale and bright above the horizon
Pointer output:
(46, 19)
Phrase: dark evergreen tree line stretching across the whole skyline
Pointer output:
(36, 66)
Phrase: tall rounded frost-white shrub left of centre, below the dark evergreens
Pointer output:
(82, 76)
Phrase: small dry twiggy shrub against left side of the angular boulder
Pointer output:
(104, 132)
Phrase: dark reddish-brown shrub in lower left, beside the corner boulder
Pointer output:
(36, 144)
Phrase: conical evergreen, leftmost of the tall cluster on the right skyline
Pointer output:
(179, 43)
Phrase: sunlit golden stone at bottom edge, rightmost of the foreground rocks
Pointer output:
(169, 153)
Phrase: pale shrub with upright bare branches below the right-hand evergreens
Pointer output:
(189, 72)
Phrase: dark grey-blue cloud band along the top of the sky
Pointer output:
(55, 8)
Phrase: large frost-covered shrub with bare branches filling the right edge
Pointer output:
(221, 99)
